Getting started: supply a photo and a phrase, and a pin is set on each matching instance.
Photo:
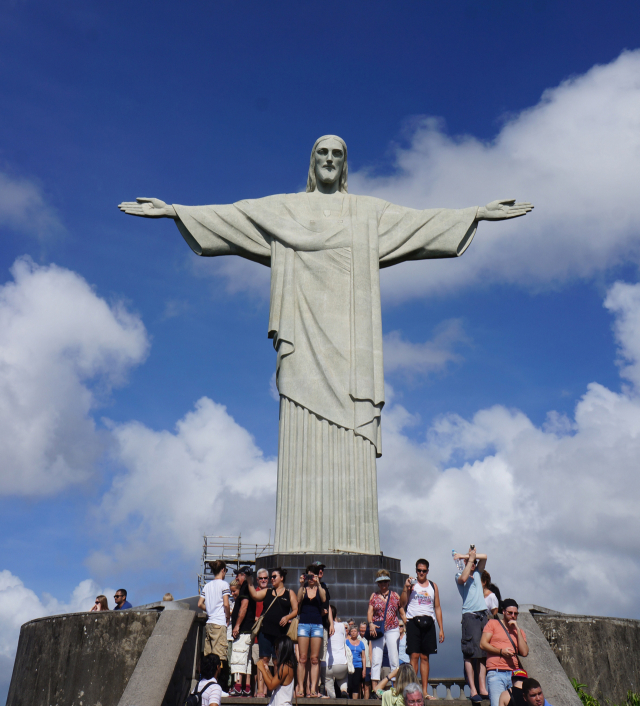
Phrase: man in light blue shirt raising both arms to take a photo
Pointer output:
(474, 618)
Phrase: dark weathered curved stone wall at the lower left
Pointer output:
(79, 658)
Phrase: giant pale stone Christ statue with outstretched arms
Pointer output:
(325, 248)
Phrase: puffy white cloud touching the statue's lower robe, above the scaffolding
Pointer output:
(207, 477)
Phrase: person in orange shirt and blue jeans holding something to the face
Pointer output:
(503, 641)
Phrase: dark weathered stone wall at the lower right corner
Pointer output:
(603, 653)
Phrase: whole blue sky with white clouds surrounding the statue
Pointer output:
(114, 329)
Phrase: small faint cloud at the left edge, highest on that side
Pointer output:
(24, 208)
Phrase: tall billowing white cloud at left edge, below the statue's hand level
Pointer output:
(57, 337)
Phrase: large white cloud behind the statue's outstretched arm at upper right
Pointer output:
(575, 155)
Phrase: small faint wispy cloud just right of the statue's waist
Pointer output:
(431, 356)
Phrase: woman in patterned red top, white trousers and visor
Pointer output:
(376, 614)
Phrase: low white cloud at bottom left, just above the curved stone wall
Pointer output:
(19, 604)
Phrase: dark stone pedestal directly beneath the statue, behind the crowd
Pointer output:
(350, 578)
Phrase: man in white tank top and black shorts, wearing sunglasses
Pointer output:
(422, 600)
